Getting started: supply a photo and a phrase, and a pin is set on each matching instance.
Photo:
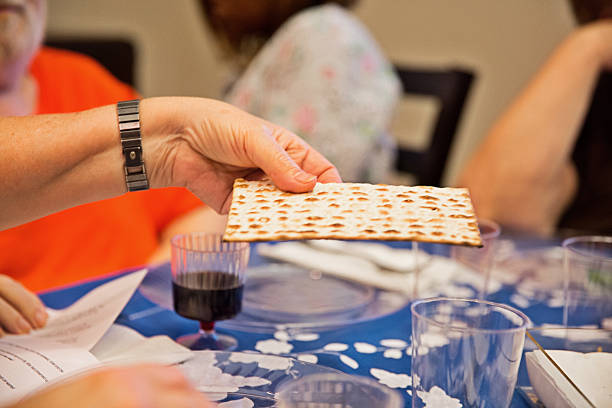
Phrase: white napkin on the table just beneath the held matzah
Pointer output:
(438, 275)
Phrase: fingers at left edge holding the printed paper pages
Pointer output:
(20, 309)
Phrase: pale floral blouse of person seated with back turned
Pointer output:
(324, 77)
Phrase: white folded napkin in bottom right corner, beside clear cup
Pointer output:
(591, 372)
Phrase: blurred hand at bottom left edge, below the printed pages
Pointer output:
(143, 386)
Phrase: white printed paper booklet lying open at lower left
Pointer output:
(79, 338)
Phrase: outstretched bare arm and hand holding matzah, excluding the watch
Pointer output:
(52, 162)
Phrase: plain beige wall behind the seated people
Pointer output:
(504, 41)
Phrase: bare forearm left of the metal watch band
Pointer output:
(52, 162)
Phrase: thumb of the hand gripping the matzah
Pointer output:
(274, 160)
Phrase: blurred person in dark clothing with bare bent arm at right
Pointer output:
(545, 167)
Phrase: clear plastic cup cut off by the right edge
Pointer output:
(588, 280)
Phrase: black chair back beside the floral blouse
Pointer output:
(451, 87)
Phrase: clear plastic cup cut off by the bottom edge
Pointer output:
(331, 390)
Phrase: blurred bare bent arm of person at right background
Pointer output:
(522, 175)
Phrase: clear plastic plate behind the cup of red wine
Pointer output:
(281, 295)
